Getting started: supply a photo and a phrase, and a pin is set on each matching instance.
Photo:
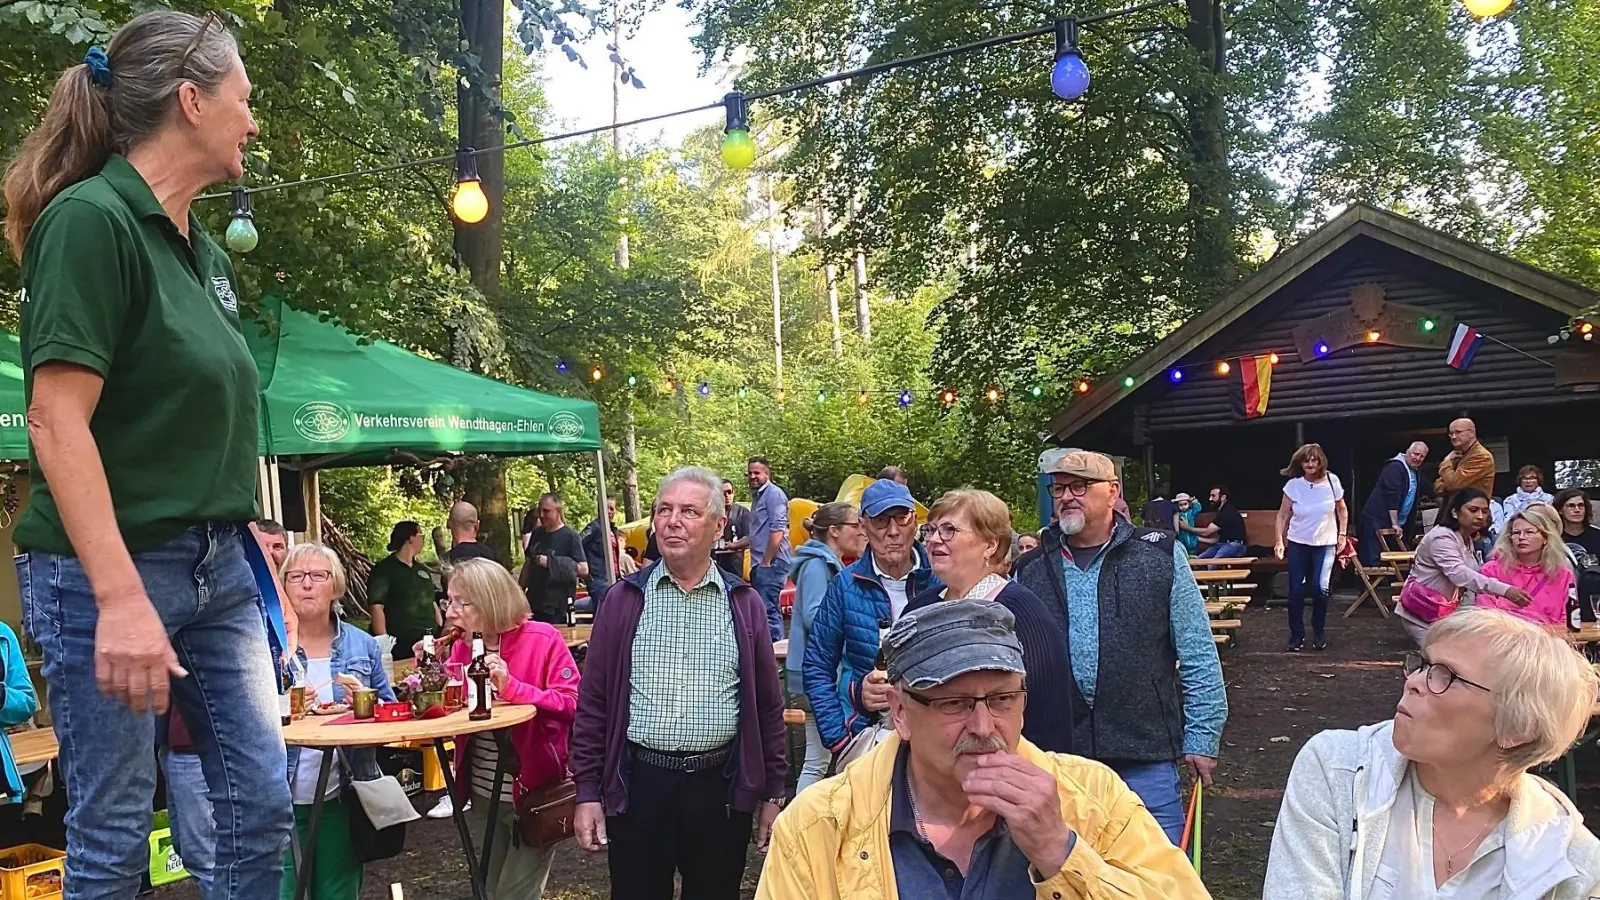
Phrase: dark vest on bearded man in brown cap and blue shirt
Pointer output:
(1138, 702)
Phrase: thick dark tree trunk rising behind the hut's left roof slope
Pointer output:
(1212, 257)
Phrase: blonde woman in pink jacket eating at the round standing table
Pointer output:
(529, 664)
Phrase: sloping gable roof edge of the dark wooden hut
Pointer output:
(1359, 220)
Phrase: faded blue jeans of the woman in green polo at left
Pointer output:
(202, 587)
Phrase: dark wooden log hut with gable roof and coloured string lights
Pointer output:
(1359, 319)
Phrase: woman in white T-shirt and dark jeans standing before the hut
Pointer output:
(1313, 524)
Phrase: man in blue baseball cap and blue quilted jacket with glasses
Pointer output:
(847, 688)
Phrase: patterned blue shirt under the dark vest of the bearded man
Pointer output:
(1199, 670)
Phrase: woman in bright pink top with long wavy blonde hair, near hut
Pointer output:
(1532, 556)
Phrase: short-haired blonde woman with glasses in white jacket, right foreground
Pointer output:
(1439, 802)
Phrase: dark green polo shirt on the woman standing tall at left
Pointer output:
(110, 284)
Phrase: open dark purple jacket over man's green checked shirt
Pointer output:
(599, 742)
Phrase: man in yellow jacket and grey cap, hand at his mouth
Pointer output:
(958, 805)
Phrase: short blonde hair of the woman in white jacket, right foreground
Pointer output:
(1545, 689)
